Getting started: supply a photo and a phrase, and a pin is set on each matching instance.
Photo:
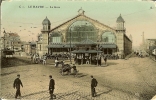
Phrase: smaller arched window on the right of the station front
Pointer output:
(108, 37)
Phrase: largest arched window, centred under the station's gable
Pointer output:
(81, 30)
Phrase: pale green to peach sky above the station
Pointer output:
(19, 16)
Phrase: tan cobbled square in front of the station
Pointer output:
(131, 79)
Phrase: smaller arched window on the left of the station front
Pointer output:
(56, 37)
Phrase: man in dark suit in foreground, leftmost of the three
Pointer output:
(17, 83)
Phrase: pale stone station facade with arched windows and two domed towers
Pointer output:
(109, 40)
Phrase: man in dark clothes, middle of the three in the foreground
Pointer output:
(51, 87)
